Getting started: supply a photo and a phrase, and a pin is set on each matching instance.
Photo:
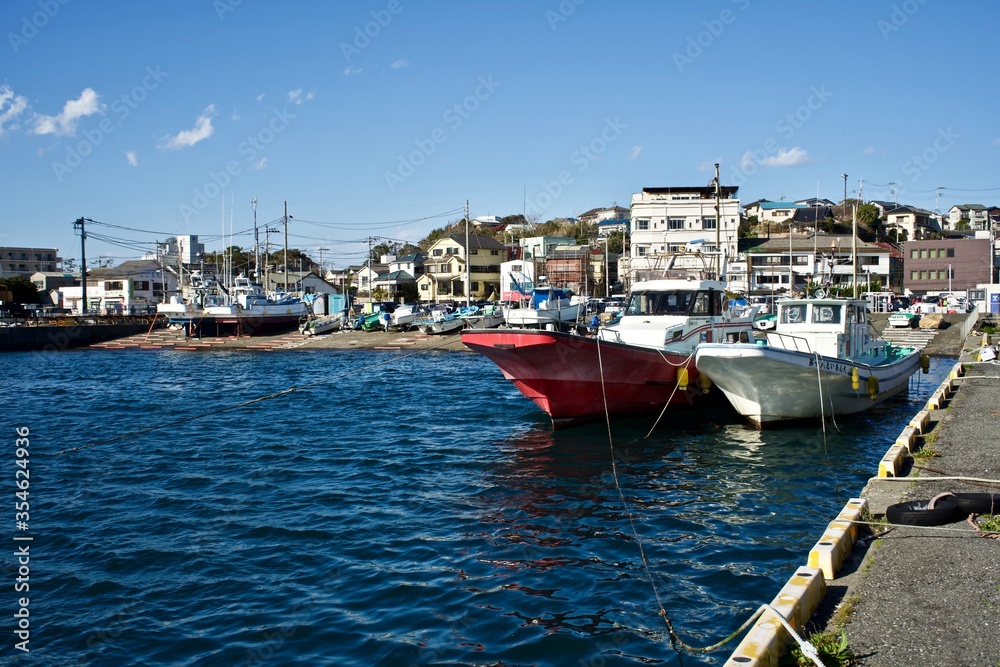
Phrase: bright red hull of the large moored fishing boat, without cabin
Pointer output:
(575, 379)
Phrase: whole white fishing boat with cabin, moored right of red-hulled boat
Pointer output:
(821, 360)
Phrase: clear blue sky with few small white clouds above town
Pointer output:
(381, 118)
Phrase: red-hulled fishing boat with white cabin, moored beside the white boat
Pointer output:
(642, 364)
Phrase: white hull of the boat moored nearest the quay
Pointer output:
(768, 385)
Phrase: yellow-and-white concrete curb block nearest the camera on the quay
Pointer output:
(764, 644)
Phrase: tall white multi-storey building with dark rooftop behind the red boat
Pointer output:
(668, 219)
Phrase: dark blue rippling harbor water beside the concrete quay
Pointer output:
(395, 509)
